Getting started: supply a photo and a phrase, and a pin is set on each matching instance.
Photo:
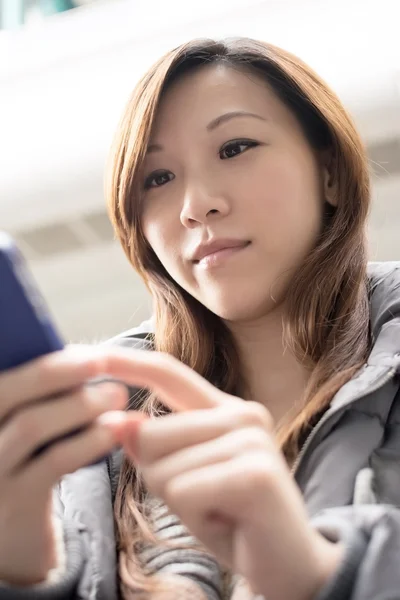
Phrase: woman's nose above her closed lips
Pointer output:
(201, 207)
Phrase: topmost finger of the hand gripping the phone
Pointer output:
(49, 375)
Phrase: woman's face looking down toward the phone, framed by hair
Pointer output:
(229, 172)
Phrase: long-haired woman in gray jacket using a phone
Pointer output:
(239, 190)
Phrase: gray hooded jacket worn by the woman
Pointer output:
(348, 471)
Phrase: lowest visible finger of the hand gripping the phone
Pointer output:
(75, 452)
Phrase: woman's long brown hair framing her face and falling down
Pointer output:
(327, 316)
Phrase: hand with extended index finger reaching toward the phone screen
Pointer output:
(216, 465)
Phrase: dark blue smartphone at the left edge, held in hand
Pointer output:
(27, 330)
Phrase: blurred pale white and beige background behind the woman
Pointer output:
(66, 71)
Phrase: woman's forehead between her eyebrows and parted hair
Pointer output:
(196, 98)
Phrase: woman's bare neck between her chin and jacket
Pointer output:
(272, 374)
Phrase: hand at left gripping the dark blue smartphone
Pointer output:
(36, 407)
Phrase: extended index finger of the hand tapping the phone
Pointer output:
(176, 384)
